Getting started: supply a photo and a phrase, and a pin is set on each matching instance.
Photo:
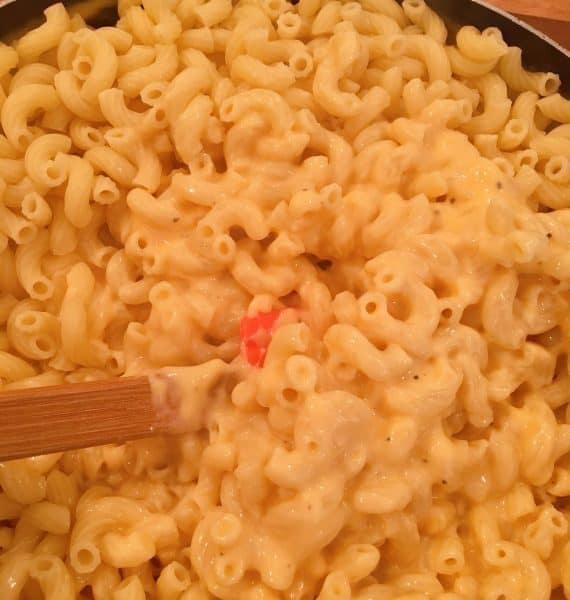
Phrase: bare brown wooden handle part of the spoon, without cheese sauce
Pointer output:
(64, 417)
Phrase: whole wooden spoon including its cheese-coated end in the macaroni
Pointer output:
(65, 417)
